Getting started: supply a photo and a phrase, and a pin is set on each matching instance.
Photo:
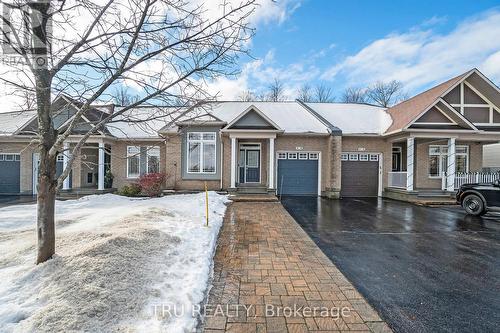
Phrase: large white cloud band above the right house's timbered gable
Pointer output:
(421, 57)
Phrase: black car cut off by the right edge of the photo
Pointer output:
(478, 199)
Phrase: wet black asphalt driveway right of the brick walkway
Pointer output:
(424, 269)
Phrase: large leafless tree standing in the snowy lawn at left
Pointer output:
(84, 49)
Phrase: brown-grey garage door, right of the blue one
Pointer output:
(360, 173)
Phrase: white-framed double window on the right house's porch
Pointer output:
(438, 160)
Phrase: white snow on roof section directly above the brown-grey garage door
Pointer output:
(354, 118)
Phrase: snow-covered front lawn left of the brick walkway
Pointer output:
(120, 263)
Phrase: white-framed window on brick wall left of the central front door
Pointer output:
(201, 152)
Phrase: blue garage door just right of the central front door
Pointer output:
(298, 173)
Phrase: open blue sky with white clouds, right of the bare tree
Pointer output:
(344, 44)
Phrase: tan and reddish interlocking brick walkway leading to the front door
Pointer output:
(265, 261)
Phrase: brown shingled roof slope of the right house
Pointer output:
(405, 112)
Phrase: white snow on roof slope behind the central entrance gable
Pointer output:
(289, 116)
